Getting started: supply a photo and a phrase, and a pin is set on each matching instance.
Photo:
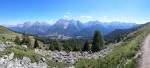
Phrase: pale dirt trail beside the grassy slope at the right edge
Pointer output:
(145, 57)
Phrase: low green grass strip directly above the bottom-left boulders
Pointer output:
(20, 53)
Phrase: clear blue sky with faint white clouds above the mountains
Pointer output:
(19, 11)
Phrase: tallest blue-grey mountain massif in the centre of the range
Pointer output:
(66, 27)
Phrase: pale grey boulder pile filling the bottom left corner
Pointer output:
(8, 61)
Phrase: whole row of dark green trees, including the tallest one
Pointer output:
(96, 44)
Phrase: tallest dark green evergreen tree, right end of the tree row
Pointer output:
(98, 41)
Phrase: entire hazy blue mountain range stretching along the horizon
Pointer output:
(69, 27)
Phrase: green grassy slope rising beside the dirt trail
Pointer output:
(123, 55)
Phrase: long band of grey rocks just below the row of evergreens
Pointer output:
(72, 57)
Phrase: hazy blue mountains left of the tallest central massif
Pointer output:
(36, 28)
